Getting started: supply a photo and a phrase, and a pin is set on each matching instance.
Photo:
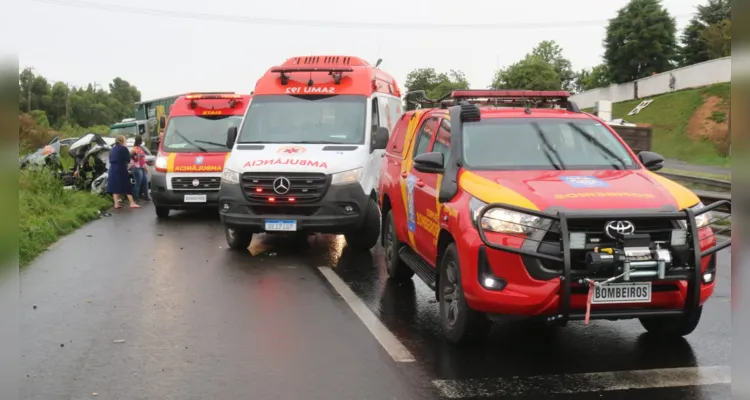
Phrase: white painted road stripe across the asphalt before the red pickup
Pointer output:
(581, 383)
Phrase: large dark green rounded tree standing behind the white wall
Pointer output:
(640, 41)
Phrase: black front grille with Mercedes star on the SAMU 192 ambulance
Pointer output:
(303, 187)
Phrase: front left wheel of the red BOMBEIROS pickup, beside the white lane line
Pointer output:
(461, 324)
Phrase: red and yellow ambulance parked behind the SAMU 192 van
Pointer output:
(193, 150)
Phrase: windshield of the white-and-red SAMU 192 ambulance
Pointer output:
(338, 119)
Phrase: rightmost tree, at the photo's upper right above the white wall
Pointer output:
(694, 47)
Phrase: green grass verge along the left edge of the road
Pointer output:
(48, 212)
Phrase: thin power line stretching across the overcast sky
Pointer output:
(322, 24)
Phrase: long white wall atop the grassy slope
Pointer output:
(696, 75)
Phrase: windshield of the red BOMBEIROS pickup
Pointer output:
(543, 144)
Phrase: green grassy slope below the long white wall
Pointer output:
(670, 114)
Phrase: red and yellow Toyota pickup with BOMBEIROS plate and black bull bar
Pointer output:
(533, 208)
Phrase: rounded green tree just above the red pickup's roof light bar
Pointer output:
(531, 73)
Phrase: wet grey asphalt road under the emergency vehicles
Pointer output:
(201, 322)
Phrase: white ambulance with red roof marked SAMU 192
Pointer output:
(308, 153)
